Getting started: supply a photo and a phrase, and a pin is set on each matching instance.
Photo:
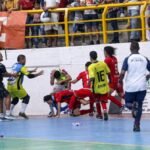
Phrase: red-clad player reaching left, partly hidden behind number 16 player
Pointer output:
(85, 91)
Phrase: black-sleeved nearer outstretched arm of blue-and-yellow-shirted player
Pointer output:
(30, 75)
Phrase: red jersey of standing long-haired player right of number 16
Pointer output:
(113, 66)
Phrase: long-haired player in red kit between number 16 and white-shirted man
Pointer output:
(114, 84)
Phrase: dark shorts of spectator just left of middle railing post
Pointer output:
(91, 17)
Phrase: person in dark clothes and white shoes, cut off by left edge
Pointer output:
(4, 94)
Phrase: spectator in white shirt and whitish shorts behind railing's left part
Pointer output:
(52, 29)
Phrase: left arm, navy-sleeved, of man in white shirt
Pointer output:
(123, 70)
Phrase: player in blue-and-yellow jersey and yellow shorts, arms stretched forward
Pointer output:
(15, 86)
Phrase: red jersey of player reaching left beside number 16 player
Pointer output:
(84, 76)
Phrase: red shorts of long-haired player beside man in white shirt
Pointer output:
(117, 87)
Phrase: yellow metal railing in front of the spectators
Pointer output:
(104, 20)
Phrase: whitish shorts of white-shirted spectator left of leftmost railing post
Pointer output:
(54, 18)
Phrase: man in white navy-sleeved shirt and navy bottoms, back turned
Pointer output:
(136, 67)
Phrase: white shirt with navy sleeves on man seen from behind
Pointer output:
(136, 67)
